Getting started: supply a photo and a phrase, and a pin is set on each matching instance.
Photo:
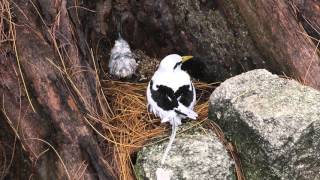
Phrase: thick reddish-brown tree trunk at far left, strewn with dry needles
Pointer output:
(46, 91)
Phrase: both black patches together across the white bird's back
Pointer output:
(167, 99)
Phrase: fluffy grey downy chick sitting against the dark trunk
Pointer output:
(122, 63)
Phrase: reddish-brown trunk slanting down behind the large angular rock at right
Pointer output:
(275, 27)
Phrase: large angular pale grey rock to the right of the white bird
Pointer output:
(274, 123)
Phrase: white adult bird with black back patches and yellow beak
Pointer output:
(171, 94)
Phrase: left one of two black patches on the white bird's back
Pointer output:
(164, 97)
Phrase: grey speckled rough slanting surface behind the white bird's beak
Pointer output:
(215, 34)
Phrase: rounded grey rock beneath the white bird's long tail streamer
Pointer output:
(194, 155)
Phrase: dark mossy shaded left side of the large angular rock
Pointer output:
(253, 159)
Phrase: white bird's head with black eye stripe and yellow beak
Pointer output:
(173, 62)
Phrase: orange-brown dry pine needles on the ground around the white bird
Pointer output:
(127, 126)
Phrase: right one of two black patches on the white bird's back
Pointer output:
(184, 95)
